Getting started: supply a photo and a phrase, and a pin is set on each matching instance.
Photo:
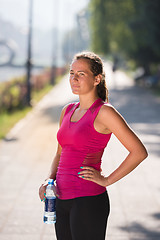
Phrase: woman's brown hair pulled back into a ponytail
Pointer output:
(96, 66)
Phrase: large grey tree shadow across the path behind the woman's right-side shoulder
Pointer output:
(136, 104)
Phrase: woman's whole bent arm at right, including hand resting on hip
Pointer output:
(114, 122)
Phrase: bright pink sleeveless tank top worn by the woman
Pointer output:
(81, 145)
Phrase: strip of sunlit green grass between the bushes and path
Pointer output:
(8, 120)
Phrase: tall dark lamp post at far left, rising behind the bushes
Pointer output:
(29, 54)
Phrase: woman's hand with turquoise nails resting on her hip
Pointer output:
(93, 175)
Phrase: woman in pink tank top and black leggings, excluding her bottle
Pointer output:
(82, 204)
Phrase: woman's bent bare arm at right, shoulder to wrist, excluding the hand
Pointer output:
(137, 151)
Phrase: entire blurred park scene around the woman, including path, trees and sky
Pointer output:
(38, 40)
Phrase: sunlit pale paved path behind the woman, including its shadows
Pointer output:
(27, 152)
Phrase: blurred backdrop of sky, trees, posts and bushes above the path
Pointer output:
(38, 41)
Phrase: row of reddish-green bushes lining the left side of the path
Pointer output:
(13, 93)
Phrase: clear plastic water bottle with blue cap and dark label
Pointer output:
(50, 204)
